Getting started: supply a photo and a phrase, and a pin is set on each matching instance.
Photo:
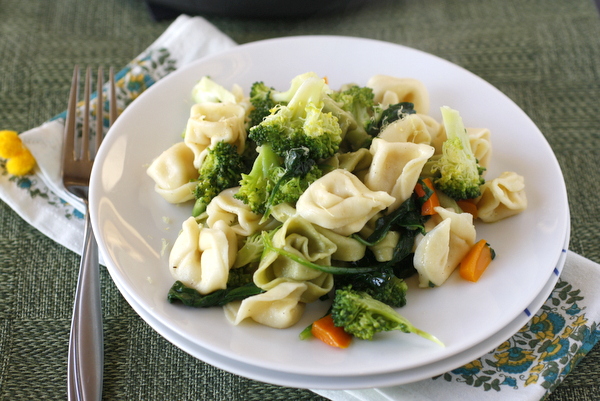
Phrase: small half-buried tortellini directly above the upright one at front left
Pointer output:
(234, 212)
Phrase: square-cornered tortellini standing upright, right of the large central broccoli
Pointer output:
(396, 168)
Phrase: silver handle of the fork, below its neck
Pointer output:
(86, 349)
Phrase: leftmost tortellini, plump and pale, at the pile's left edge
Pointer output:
(174, 174)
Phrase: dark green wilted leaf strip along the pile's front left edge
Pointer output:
(179, 292)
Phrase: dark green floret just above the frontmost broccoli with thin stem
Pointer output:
(382, 285)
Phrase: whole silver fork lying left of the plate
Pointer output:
(86, 348)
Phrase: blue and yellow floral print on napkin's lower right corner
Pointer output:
(543, 352)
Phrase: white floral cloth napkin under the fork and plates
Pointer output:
(525, 367)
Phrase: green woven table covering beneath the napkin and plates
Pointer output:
(544, 55)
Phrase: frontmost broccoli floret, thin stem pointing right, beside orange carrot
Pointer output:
(362, 316)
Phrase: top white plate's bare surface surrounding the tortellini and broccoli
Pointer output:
(128, 217)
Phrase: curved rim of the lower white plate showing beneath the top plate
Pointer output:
(360, 381)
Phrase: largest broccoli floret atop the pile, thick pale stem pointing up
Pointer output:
(301, 123)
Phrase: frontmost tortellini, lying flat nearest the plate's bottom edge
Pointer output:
(280, 307)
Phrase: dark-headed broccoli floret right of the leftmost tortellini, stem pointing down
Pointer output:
(220, 169)
